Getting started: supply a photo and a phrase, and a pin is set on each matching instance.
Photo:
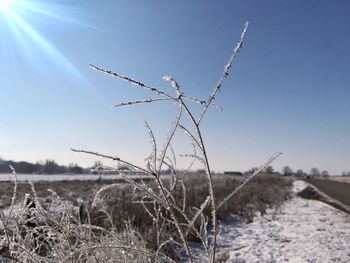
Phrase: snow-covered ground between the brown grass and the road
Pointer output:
(302, 231)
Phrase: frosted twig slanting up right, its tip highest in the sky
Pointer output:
(226, 72)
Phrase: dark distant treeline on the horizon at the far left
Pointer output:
(46, 167)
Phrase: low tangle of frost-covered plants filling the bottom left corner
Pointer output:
(57, 234)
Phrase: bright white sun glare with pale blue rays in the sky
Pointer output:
(21, 36)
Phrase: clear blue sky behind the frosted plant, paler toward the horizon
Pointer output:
(288, 90)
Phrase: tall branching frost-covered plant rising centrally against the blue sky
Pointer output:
(159, 202)
